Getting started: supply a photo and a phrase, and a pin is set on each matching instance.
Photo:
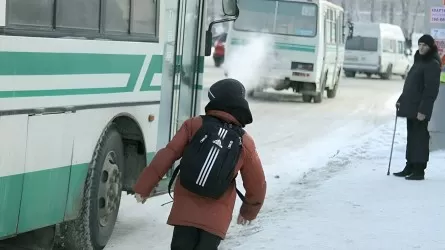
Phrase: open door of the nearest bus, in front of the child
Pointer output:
(180, 70)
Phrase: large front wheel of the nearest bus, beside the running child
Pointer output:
(102, 193)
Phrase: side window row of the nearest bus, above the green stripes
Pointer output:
(132, 20)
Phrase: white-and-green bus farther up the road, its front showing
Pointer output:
(305, 44)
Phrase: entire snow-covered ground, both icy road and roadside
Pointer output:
(327, 185)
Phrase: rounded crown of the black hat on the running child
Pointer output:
(227, 88)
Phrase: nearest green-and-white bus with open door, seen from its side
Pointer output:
(89, 90)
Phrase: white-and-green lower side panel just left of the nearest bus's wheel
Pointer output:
(48, 164)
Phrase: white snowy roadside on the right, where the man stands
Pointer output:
(348, 202)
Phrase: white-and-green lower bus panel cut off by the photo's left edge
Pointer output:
(12, 165)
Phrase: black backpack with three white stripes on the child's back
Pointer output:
(209, 160)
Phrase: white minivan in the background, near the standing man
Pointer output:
(376, 49)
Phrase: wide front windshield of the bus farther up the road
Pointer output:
(277, 17)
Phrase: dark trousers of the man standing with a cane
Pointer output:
(418, 142)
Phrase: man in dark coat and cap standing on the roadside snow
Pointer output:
(416, 104)
